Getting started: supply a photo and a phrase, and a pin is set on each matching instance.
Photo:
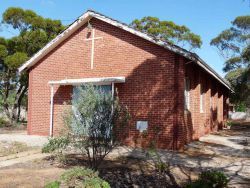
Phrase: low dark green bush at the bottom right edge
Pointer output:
(209, 179)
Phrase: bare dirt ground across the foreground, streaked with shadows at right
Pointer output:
(227, 151)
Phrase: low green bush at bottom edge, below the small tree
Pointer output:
(80, 177)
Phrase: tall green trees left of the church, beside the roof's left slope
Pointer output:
(34, 32)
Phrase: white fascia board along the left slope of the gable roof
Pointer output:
(52, 44)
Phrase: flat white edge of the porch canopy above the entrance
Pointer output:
(99, 81)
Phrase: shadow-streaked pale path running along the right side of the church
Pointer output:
(227, 151)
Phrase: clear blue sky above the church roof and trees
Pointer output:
(204, 17)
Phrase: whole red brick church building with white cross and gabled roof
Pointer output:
(163, 86)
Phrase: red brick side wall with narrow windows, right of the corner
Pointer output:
(215, 102)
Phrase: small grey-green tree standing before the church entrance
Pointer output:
(91, 122)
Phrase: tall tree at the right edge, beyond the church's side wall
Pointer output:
(234, 45)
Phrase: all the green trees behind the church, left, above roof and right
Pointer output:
(35, 31)
